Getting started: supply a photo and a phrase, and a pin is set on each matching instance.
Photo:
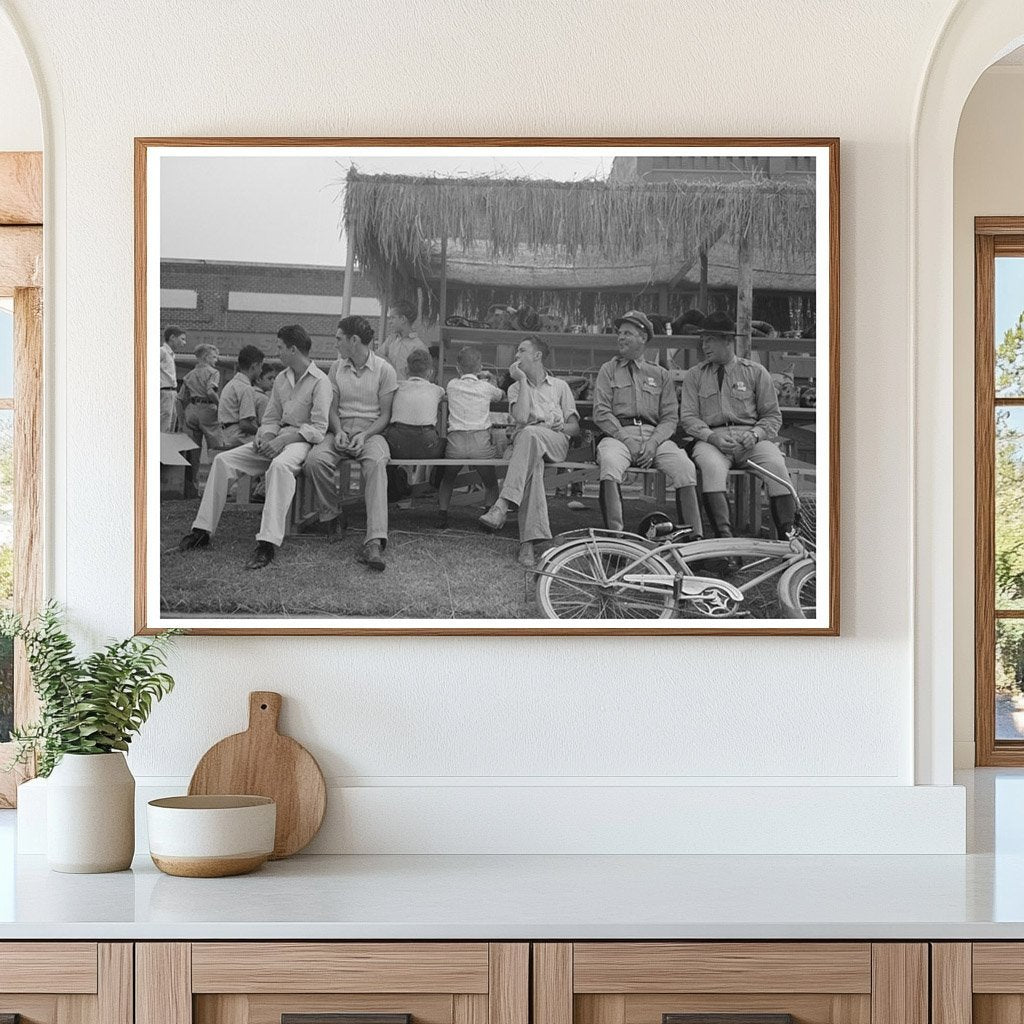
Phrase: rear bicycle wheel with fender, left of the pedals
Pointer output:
(574, 583)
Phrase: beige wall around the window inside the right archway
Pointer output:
(988, 183)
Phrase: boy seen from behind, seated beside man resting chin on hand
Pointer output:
(471, 397)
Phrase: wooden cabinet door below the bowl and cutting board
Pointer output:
(333, 984)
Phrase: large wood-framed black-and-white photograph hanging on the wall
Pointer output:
(456, 387)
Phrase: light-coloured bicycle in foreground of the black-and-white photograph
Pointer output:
(602, 574)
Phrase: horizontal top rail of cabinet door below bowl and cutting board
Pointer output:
(345, 967)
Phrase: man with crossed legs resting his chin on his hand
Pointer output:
(546, 417)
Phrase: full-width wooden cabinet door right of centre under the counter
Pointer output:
(731, 984)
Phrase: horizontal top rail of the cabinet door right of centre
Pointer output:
(721, 967)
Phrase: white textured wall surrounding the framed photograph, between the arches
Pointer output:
(434, 716)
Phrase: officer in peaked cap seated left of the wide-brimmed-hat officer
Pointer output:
(635, 408)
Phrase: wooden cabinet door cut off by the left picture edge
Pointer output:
(66, 983)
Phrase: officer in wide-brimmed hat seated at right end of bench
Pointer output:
(731, 407)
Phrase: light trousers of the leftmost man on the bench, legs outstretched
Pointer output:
(281, 474)
